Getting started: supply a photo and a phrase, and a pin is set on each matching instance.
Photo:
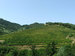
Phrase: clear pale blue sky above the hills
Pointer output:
(30, 11)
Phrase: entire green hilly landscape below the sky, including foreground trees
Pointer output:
(37, 39)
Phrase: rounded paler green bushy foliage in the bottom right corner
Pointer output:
(66, 51)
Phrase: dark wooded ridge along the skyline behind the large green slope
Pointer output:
(38, 25)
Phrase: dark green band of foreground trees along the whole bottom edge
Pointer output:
(66, 50)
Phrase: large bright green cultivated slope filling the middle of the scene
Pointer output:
(41, 35)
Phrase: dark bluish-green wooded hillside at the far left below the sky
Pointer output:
(6, 26)
